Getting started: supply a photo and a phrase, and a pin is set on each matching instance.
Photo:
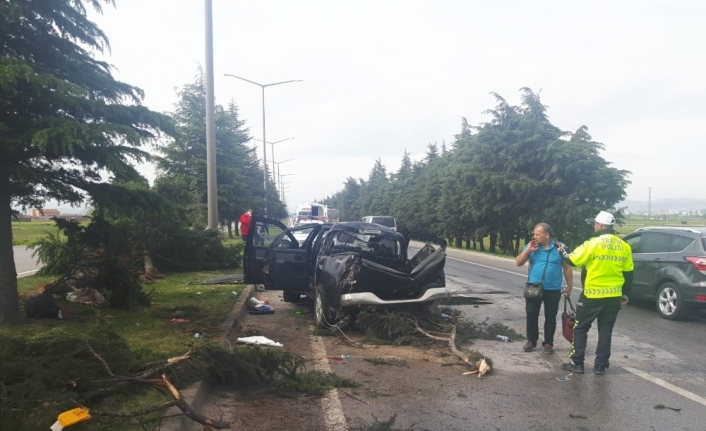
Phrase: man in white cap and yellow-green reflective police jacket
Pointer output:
(607, 281)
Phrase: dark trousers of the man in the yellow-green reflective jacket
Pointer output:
(605, 312)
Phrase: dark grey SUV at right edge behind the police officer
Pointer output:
(670, 268)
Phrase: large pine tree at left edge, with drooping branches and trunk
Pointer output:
(64, 119)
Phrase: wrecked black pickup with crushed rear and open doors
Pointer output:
(347, 265)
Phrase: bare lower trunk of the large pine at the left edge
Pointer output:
(9, 299)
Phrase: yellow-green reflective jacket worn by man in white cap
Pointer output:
(605, 257)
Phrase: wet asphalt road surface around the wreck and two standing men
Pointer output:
(656, 380)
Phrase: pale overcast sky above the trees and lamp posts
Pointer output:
(383, 76)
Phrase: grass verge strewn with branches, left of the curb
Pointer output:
(46, 364)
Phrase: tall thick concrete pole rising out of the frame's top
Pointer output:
(212, 186)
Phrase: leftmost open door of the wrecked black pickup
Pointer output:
(262, 233)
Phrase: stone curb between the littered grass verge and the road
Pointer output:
(195, 395)
